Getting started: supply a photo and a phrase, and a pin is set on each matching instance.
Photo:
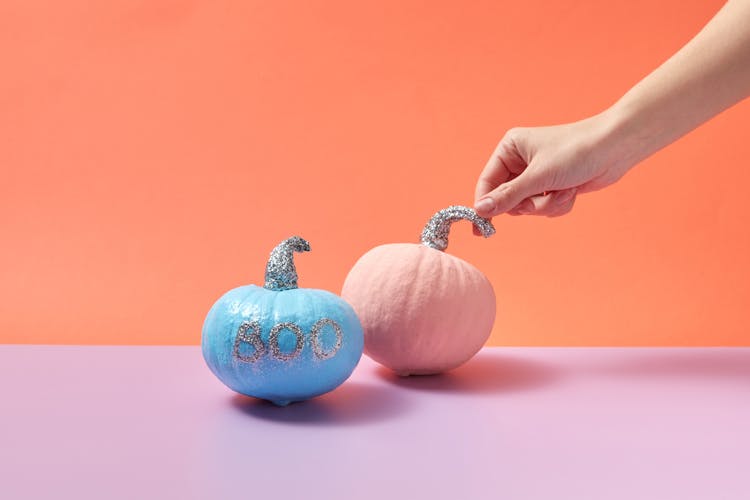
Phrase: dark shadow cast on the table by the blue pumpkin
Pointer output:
(352, 403)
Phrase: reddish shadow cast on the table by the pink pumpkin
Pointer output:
(487, 372)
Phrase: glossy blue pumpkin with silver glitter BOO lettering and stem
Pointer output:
(280, 342)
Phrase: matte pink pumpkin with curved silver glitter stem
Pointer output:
(423, 311)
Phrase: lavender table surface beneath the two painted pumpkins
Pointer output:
(514, 423)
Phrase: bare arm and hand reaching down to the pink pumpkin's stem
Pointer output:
(706, 76)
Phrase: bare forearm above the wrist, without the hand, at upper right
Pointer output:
(708, 75)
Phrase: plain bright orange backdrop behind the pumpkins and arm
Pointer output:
(153, 152)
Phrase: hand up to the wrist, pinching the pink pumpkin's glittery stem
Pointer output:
(541, 170)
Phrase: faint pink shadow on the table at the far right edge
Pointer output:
(718, 362)
